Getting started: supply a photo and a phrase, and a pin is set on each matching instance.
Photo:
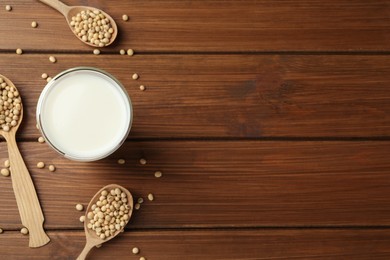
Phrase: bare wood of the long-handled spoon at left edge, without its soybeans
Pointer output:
(26, 197)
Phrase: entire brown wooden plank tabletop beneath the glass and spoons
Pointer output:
(270, 121)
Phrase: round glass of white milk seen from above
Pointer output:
(84, 113)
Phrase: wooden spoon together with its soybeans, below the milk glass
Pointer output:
(107, 214)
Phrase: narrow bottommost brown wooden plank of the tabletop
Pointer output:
(227, 244)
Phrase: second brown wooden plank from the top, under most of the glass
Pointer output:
(232, 95)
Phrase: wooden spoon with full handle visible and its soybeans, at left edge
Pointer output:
(11, 114)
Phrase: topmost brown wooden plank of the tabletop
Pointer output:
(176, 25)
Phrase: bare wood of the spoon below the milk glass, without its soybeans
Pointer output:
(92, 239)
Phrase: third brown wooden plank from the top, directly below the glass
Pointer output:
(220, 184)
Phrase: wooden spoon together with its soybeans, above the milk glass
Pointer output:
(91, 25)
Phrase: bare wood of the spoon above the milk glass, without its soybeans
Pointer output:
(70, 11)
